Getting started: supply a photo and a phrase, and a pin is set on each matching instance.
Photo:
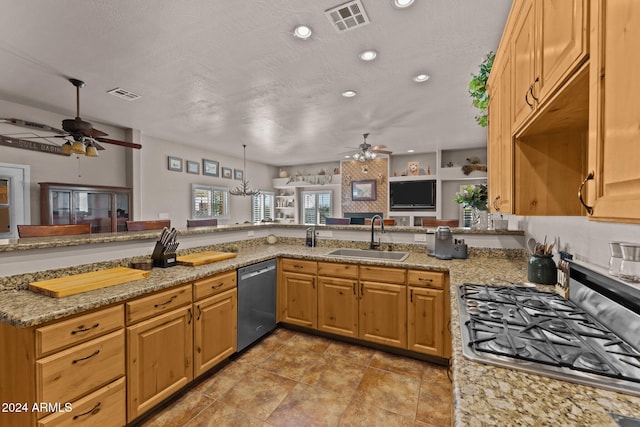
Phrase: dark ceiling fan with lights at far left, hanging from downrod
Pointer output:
(80, 136)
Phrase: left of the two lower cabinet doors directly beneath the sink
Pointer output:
(338, 306)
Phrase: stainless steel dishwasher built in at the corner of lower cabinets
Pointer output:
(256, 302)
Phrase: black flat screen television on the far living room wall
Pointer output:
(412, 195)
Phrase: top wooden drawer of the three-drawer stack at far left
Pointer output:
(79, 329)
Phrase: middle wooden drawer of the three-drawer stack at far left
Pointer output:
(71, 373)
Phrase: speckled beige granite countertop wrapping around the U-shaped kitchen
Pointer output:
(483, 395)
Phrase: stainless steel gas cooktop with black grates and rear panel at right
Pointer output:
(591, 338)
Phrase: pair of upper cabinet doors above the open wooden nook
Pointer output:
(549, 41)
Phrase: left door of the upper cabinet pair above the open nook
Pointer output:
(523, 54)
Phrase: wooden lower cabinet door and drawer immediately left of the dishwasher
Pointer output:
(215, 329)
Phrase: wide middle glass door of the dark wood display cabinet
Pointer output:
(93, 208)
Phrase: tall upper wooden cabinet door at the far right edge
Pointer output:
(614, 132)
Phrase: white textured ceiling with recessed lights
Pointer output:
(218, 74)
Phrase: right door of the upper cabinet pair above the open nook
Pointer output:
(562, 42)
